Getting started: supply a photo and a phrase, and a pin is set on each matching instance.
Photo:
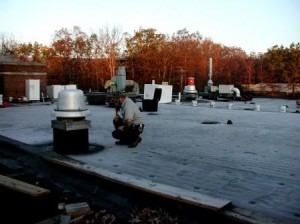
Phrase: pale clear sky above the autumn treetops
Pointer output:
(252, 25)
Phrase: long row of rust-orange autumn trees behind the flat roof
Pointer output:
(89, 60)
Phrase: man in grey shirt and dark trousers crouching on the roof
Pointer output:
(128, 122)
